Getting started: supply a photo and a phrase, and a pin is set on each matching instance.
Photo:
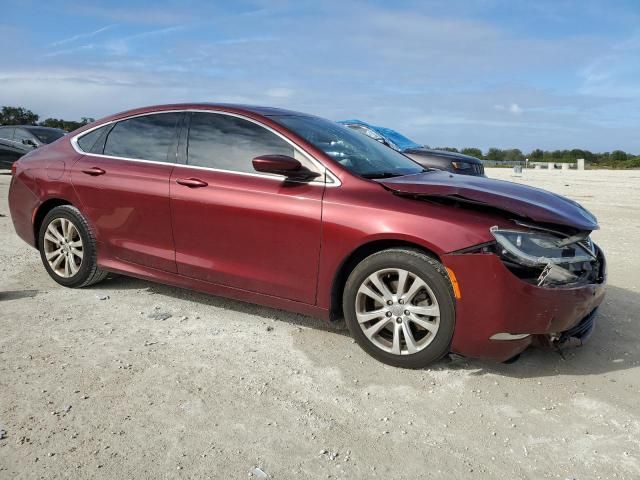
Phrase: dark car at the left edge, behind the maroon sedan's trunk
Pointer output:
(18, 140)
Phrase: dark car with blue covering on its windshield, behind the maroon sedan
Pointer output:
(429, 158)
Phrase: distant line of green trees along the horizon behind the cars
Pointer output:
(615, 159)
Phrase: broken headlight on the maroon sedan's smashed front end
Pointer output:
(544, 258)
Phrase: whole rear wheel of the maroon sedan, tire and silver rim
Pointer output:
(68, 248)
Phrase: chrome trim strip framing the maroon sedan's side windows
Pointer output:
(331, 180)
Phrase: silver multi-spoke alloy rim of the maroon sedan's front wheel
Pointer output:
(397, 311)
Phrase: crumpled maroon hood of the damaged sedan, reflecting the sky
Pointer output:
(532, 203)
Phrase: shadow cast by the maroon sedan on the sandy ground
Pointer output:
(612, 347)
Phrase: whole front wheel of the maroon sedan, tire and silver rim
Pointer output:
(399, 307)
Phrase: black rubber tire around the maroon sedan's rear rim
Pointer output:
(88, 272)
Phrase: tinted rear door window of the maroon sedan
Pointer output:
(149, 137)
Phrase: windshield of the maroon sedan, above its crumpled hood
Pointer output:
(354, 151)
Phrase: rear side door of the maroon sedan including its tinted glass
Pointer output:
(123, 184)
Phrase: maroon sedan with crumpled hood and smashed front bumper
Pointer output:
(297, 212)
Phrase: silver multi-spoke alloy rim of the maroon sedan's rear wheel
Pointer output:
(63, 247)
